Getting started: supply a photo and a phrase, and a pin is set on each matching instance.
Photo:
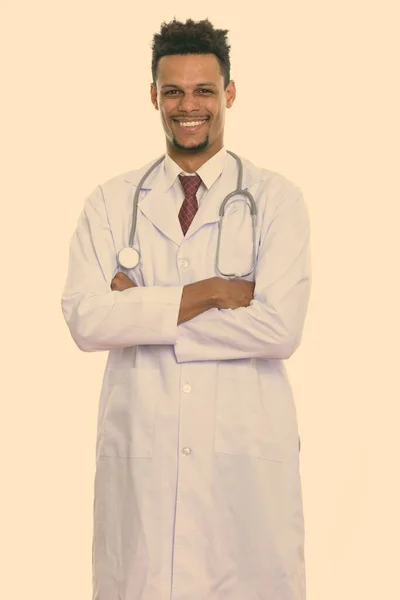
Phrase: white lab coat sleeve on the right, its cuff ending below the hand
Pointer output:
(272, 326)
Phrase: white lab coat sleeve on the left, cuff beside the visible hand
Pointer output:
(99, 318)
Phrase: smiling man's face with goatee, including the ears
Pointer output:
(192, 101)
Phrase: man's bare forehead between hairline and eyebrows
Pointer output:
(189, 69)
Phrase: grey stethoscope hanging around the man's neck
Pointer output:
(129, 257)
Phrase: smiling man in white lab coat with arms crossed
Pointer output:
(197, 490)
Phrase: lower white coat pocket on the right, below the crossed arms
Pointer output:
(244, 423)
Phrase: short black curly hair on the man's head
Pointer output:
(191, 38)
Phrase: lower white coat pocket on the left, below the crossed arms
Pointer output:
(128, 425)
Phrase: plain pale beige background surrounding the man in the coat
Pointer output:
(317, 101)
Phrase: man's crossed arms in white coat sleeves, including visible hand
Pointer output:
(213, 319)
